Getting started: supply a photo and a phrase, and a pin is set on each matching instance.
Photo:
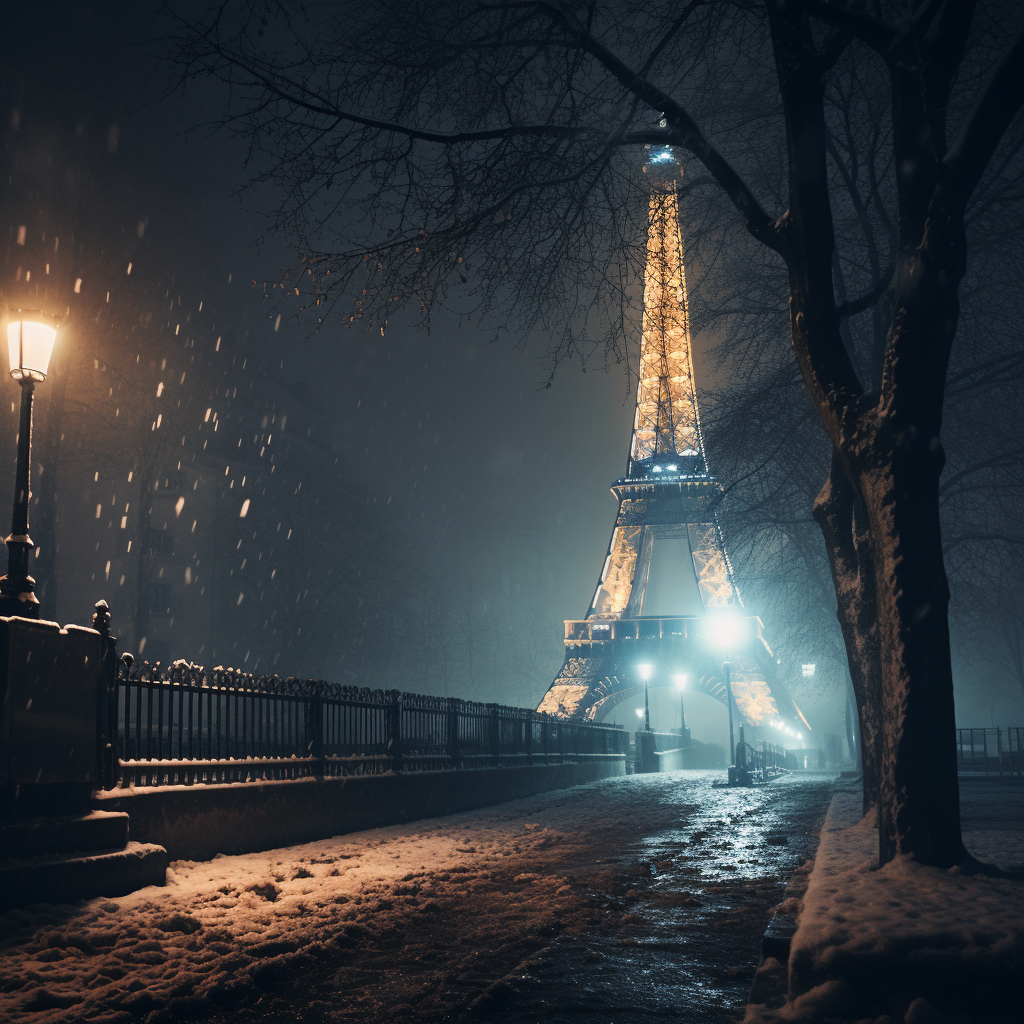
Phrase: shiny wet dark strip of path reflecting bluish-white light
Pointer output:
(697, 912)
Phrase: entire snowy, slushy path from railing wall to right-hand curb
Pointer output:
(506, 904)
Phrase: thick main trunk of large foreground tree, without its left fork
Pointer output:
(899, 457)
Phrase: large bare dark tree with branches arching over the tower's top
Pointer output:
(495, 147)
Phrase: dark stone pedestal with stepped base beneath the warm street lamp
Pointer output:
(54, 848)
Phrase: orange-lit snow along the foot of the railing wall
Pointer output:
(215, 920)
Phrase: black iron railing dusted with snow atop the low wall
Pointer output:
(185, 724)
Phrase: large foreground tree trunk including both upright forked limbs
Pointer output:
(887, 563)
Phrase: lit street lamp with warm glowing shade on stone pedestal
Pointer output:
(31, 335)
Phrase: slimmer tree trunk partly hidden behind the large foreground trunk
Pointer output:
(841, 516)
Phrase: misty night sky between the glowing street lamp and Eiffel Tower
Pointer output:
(417, 509)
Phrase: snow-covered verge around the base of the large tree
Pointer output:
(906, 940)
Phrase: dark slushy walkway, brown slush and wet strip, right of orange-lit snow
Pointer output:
(645, 899)
